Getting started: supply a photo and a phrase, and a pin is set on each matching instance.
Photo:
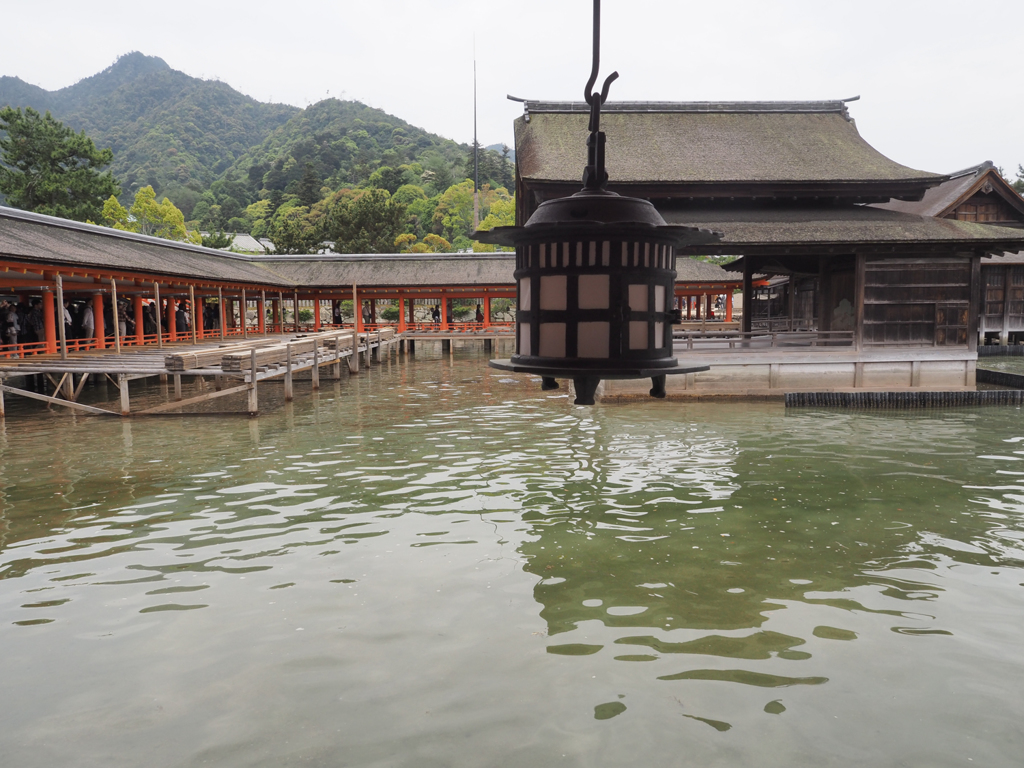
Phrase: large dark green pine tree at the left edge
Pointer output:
(48, 168)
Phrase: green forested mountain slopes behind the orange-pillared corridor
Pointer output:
(230, 162)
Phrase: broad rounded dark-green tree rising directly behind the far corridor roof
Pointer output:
(365, 223)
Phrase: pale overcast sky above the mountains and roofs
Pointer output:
(940, 83)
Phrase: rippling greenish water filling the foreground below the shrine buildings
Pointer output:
(437, 565)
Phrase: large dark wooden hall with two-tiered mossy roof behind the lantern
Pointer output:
(871, 296)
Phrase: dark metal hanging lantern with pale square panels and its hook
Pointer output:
(596, 277)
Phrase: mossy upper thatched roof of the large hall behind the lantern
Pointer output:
(697, 147)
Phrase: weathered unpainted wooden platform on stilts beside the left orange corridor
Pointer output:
(243, 365)
